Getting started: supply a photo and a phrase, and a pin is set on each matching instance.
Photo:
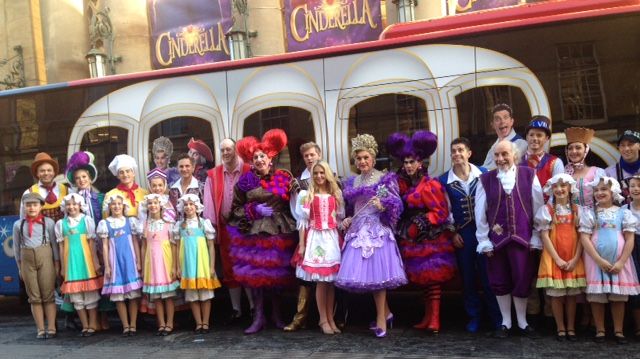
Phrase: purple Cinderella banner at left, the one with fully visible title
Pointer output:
(188, 32)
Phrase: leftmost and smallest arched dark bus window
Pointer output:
(105, 143)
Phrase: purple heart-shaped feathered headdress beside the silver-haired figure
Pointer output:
(420, 146)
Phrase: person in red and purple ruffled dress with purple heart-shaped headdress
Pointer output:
(423, 233)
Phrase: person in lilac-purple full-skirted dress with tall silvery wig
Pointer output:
(370, 259)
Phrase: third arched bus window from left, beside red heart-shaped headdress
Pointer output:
(296, 123)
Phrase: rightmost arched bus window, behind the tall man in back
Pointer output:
(474, 115)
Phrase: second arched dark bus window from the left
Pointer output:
(179, 130)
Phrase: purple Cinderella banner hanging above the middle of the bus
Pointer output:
(312, 24)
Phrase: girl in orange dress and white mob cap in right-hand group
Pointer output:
(561, 272)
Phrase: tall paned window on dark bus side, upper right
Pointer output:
(580, 84)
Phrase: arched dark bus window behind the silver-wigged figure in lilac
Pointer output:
(383, 115)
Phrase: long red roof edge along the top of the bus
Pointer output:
(397, 35)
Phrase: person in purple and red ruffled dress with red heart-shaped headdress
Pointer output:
(263, 232)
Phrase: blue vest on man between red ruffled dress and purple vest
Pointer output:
(462, 205)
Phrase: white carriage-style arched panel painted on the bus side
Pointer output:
(327, 90)
